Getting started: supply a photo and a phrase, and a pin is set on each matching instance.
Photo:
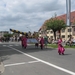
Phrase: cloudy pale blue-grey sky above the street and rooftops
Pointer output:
(29, 15)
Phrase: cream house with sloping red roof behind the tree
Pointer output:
(65, 33)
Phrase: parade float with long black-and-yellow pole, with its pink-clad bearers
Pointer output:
(29, 38)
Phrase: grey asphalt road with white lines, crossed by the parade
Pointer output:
(34, 61)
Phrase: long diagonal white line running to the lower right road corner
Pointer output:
(45, 62)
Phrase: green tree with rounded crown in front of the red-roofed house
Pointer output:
(56, 25)
